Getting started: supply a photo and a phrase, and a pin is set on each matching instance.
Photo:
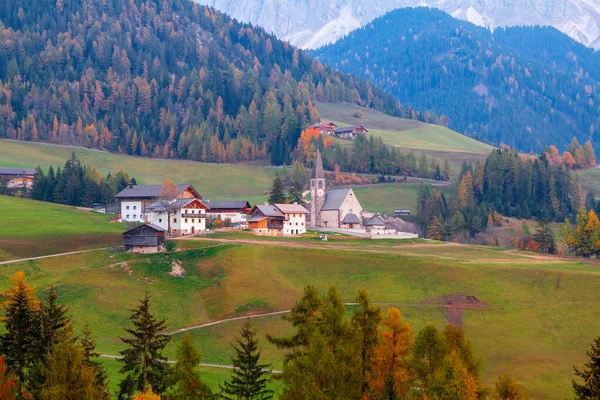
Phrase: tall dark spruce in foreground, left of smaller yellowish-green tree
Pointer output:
(144, 363)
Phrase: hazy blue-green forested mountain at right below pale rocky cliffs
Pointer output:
(525, 87)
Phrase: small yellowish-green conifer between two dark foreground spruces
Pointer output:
(186, 377)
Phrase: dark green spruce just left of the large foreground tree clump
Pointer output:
(249, 379)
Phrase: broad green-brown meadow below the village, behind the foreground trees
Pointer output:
(539, 319)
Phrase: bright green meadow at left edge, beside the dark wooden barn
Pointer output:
(31, 228)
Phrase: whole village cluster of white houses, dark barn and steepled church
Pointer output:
(186, 213)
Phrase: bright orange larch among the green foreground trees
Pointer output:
(392, 375)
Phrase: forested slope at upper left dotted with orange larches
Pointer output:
(166, 78)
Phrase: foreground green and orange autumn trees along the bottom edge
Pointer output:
(373, 354)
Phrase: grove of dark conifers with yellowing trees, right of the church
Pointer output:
(506, 184)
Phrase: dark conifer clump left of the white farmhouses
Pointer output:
(77, 185)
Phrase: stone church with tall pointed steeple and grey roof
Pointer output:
(337, 208)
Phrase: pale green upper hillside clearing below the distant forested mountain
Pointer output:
(408, 134)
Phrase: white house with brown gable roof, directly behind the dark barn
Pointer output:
(188, 216)
